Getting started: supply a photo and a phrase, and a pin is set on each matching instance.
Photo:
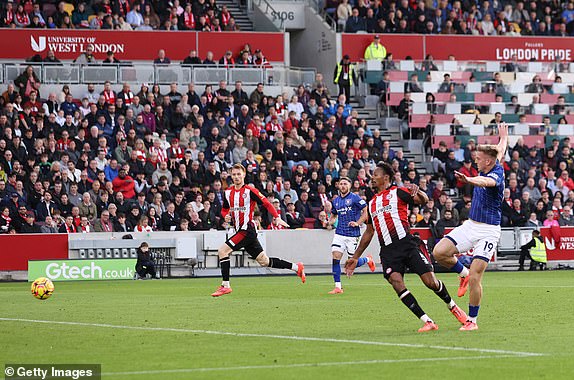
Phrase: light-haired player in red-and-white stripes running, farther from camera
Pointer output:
(239, 204)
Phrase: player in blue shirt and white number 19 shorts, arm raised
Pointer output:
(481, 231)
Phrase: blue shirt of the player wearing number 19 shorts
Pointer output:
(486, 206)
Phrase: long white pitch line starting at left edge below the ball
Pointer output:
(271, 336)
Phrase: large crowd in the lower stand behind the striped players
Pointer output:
(145, 160)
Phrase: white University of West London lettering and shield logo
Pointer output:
(72, 44)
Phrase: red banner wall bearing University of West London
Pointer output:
(19, 44)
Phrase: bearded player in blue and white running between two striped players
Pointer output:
(350, 212)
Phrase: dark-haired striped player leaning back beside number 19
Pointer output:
(388, 217)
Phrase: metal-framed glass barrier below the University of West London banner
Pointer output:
(69, 73)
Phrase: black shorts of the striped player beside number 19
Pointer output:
(404, 254)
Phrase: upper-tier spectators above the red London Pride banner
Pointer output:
(510, 18)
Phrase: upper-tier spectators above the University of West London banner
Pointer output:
(198, 15)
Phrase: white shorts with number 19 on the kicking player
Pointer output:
(482, 238)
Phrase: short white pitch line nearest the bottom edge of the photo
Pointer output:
(300, 365)
